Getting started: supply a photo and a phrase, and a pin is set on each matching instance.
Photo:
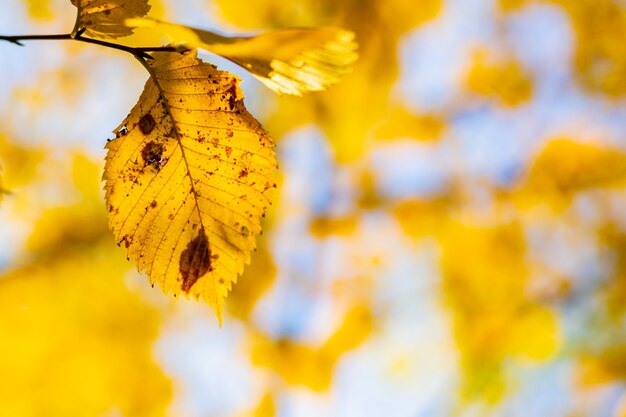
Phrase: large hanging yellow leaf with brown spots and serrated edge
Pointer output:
(188, 178)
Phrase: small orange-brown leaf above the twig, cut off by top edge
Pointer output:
(105, 18)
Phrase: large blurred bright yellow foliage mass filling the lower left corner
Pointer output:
(75, 340)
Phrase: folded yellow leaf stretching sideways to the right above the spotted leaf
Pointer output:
(288, 61)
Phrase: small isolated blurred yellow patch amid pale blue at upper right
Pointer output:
(505, 80)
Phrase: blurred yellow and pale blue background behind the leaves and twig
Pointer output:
(449, 237)
